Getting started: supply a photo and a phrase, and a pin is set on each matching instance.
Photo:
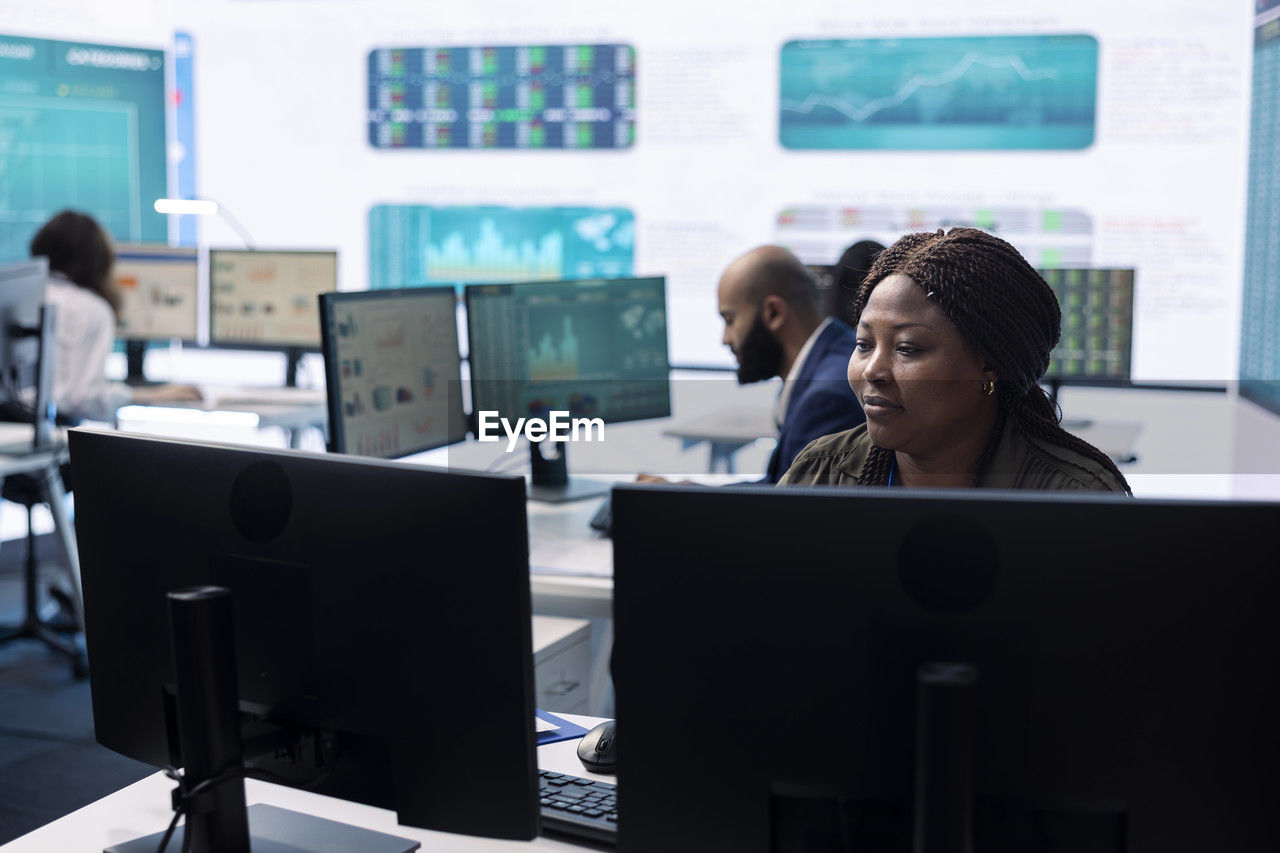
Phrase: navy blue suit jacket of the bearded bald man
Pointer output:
(821, 402)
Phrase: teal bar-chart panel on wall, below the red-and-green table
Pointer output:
(413, 245)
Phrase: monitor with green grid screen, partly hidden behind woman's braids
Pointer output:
(1098, 326)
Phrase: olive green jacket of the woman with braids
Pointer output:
(1020, 463)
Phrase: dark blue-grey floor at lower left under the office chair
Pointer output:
(49, 763)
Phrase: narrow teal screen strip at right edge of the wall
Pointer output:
(1260, 327)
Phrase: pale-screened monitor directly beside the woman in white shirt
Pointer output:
(158, 289)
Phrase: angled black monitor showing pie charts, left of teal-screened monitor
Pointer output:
(394, 372)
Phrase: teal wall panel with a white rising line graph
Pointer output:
(940, 94)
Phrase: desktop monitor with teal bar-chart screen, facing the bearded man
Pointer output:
(596, 349)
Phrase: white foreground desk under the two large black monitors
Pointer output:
(144, 809)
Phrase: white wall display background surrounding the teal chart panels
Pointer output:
(281, 93)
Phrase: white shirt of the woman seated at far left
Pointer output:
(85, 336)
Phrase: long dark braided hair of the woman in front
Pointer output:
(1004, 312)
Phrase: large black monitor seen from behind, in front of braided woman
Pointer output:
(769, 645)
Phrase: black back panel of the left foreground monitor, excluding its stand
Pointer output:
(382, 619)
